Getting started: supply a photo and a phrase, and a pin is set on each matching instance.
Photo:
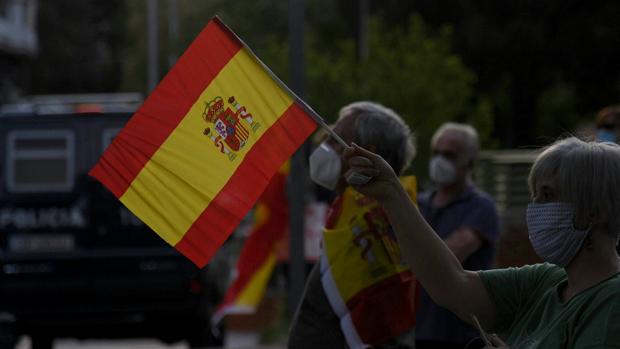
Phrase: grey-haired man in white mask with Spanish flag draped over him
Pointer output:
(360, 294)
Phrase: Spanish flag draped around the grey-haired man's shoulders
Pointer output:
(363, 275)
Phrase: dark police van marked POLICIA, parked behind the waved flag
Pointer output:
(74, 262)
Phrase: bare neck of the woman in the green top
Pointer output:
(592, 265)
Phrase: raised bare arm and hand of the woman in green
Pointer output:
(431, 261)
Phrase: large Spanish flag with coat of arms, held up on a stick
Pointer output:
(195, 157)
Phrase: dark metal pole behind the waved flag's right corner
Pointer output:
(299, 173)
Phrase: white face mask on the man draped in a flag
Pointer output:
(325, 166)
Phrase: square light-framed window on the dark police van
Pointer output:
(40, 161)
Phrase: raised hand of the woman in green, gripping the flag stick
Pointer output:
(384, 182)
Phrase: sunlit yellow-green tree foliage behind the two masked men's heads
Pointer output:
(408, 70)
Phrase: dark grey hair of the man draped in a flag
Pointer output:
(383, 128)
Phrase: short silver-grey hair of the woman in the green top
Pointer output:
(587, 175)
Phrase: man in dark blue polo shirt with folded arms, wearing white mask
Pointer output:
(465, 218)
